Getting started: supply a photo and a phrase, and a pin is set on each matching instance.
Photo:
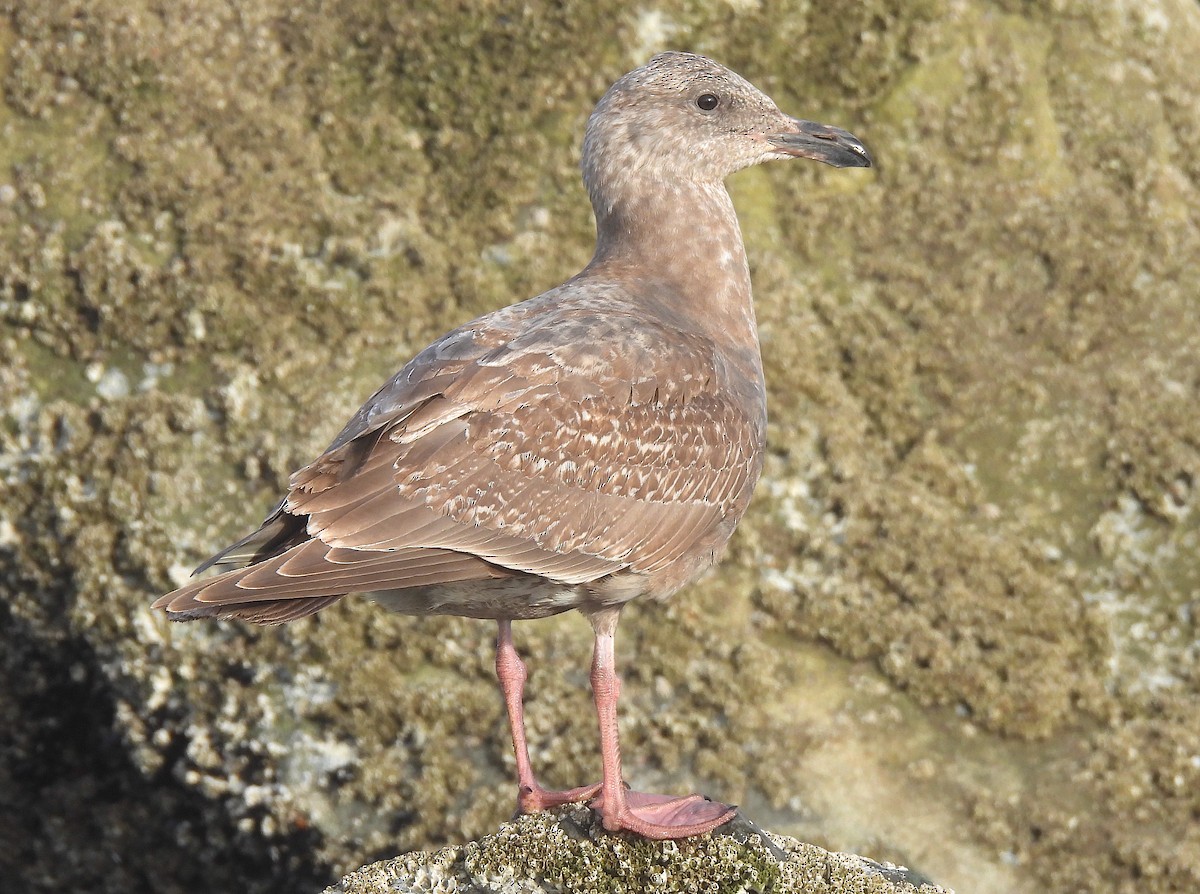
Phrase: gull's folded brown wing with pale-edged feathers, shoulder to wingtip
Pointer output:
(572, 447)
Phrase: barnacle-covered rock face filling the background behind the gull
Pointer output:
(959, 628)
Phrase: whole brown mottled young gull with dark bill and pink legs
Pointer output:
(578, 451)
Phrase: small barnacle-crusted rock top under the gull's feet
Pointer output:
(567, 851)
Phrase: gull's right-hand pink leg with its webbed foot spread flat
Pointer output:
(655, 817)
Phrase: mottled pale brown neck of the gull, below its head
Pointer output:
(687, 233)
